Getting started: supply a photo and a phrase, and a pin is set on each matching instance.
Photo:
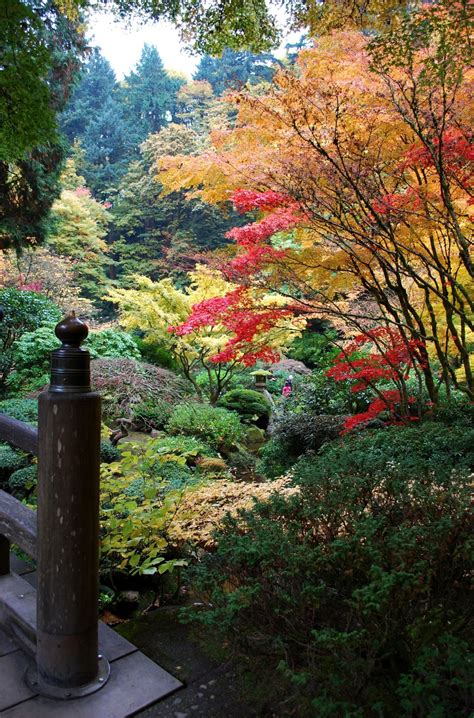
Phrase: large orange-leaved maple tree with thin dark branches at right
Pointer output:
(357, 168)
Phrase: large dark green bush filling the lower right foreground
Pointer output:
(355, 589)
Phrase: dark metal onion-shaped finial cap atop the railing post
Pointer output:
(70, 365)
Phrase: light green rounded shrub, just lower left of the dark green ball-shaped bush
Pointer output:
(217, 427)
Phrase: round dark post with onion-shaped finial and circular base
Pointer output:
(67, 661)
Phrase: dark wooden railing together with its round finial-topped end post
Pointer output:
(59, 626)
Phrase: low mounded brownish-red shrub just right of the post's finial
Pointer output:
(125, 383)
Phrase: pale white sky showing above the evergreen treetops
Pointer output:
(121, 43)
